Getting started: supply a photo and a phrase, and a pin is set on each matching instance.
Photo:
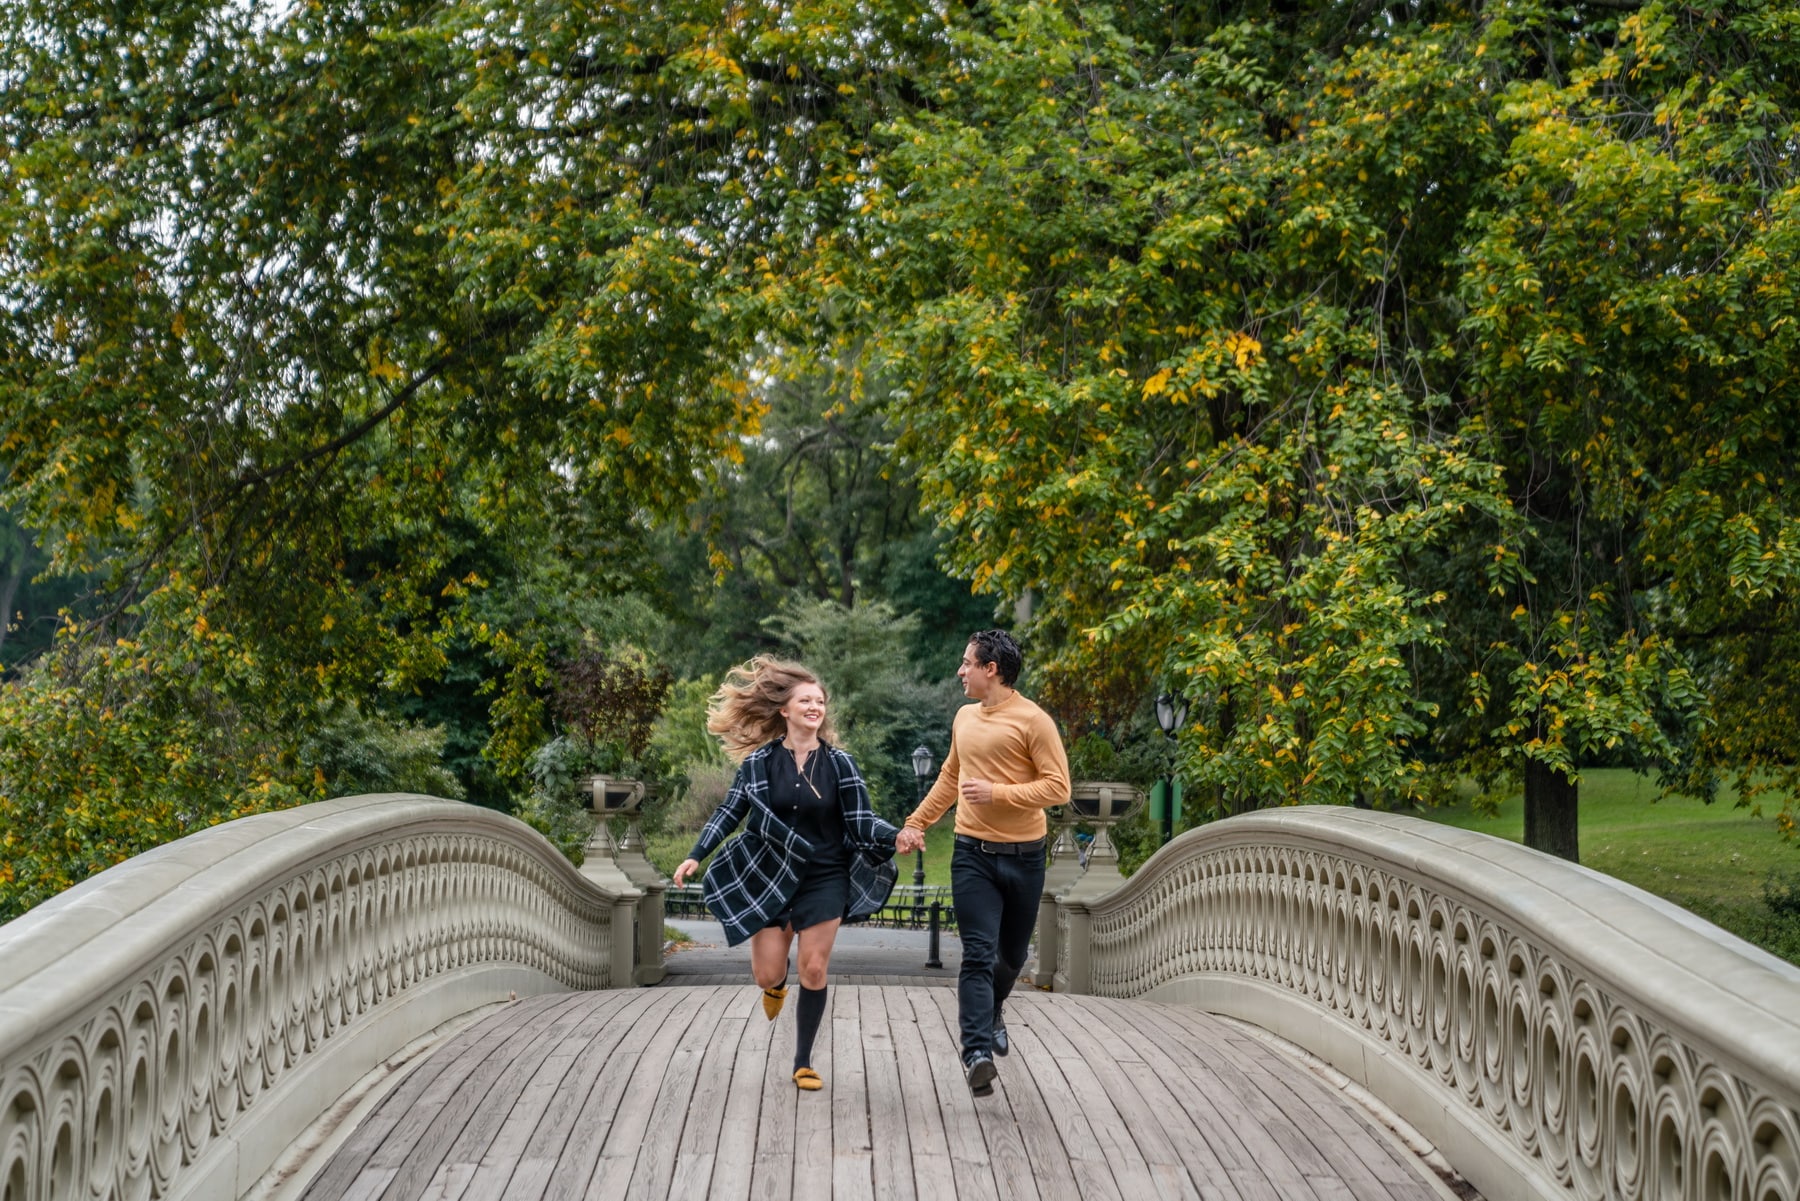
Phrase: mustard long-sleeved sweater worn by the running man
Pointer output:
(1016, 748)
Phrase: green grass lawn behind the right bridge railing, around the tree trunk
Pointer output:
(1705, 858)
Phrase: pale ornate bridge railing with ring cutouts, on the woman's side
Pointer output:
(172, 1025)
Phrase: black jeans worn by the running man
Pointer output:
(996, 912)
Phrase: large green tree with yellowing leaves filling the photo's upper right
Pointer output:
(1324, 363)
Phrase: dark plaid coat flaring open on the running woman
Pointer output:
(755, 876)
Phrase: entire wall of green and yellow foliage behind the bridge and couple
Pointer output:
(1410, 386)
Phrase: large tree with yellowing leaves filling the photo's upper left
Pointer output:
(296, 311)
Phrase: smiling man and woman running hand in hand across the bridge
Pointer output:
(814, 853)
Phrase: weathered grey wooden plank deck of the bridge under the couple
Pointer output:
(687, 1094)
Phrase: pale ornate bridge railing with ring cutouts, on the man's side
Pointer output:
(1556, 1033)
